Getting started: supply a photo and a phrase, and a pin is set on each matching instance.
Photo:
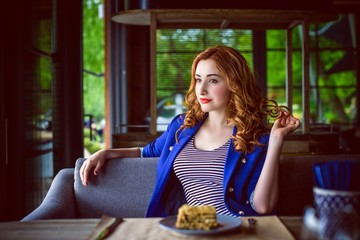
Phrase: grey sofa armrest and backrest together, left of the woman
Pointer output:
(123, 187)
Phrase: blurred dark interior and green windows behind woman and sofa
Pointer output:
(78, 76)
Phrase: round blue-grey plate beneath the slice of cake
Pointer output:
(226, 223)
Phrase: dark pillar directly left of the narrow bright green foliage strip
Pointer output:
(68, 108)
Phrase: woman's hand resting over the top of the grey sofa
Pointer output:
(95, 161)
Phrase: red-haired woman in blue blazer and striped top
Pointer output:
(221, 152)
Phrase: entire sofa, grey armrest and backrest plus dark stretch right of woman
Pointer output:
(124, 186)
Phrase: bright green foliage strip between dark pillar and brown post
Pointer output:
(93, 74)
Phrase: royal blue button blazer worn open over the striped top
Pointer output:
(241, 172)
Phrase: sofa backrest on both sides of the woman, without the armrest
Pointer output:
(123, 187)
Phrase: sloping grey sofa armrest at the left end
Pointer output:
(59, 201)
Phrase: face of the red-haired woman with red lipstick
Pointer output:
(211, 87)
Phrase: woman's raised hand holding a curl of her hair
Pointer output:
(285, 124)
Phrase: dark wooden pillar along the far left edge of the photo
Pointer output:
(12, 107)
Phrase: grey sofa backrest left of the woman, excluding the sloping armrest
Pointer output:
(122, 188)
